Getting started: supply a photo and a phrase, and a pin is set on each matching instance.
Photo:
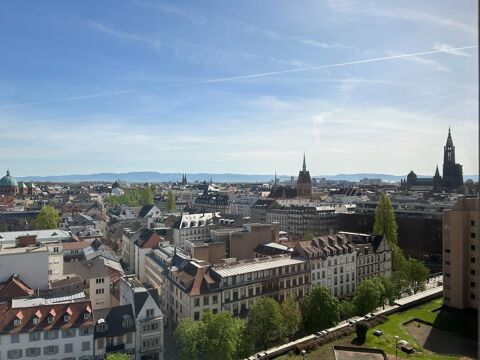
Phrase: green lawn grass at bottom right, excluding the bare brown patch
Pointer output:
(393, 326)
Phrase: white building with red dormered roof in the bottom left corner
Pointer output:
(54, 329)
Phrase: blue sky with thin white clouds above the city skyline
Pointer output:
(242, 87)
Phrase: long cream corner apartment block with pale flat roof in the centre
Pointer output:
(188, 288)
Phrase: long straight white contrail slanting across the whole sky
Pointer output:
(240, 77)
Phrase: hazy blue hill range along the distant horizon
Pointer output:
(152, 177)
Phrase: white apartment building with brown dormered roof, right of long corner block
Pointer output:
(332, 262)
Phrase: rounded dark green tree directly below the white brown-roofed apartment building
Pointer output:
(320, 310)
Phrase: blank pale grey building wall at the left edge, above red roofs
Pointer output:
(32, 267)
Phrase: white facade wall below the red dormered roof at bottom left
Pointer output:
(77, 342)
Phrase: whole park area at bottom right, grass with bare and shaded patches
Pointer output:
(433, 332)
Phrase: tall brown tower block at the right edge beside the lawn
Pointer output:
(461, 250)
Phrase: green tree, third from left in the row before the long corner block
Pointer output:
(265, 321)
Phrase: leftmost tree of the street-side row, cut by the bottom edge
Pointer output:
(190, 340)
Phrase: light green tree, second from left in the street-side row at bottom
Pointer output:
(222, 335)
